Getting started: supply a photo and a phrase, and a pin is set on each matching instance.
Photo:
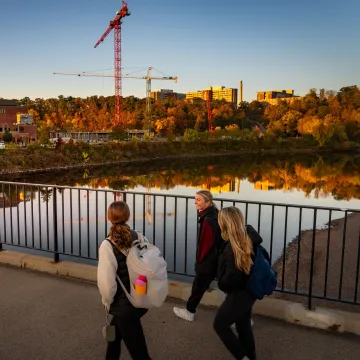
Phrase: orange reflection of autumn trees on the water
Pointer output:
(332, 174)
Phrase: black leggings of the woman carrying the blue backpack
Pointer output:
(236, 309)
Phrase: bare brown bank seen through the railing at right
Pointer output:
(331, 266)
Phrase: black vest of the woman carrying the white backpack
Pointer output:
(121, 304)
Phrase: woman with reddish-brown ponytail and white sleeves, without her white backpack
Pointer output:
(112, 275)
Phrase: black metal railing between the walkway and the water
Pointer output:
(315, 250)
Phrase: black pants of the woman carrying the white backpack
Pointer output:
(128, 328)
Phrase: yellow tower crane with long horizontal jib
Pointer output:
(148, 79)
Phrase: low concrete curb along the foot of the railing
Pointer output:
(320, 318)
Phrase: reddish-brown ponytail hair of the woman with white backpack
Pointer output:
(120, 233)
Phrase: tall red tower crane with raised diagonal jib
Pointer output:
(116, 25)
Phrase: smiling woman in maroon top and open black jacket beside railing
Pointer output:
(209, 246)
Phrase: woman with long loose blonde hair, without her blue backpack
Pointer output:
(234, 269)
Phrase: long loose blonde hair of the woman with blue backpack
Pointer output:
(232, 225)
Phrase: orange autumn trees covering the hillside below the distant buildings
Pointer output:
(322, 115)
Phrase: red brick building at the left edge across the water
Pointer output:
(15, 119)
